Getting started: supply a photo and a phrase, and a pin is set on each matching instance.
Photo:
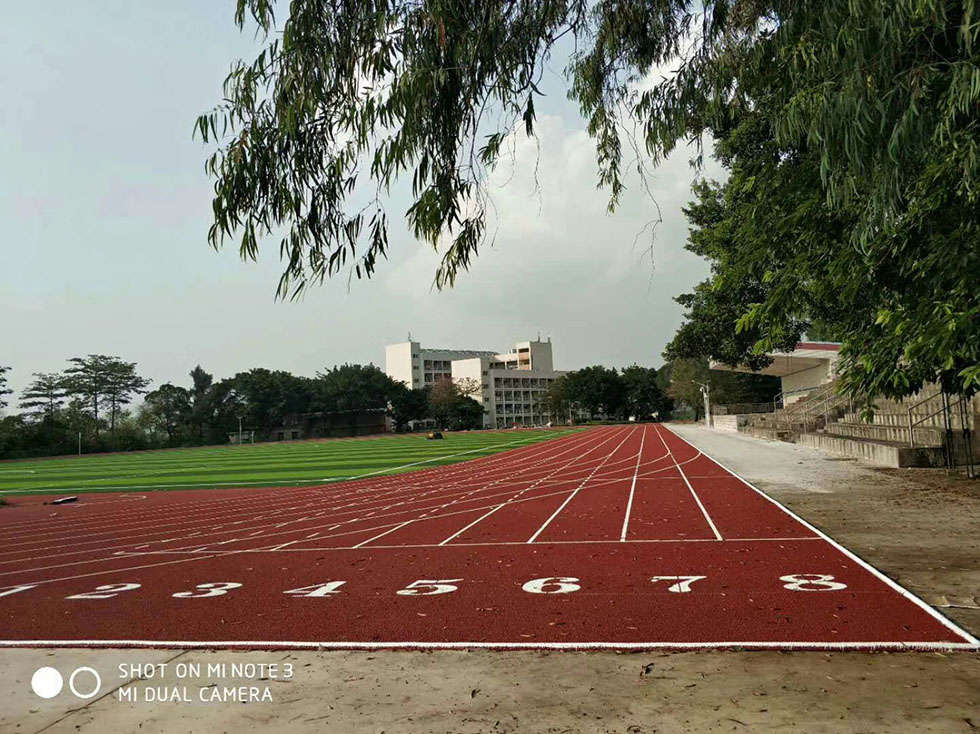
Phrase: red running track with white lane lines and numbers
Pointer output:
(621, 536)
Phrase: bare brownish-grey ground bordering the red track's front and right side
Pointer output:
(918, 526)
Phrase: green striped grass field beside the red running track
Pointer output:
(291, 464)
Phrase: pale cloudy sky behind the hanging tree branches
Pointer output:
(105, 207)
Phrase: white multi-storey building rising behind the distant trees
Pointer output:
(512, 384)
